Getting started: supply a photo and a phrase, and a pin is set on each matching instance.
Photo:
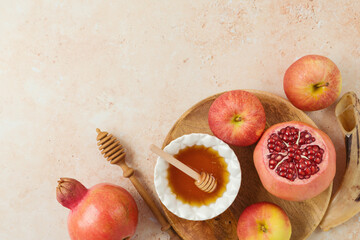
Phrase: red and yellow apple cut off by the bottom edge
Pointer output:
(264, 220)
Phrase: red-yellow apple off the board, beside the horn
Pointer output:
(312, 83)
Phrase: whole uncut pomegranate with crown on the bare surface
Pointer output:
(103, 212)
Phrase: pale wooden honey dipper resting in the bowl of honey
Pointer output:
(204, 181)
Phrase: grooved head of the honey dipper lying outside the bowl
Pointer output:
(110, 147)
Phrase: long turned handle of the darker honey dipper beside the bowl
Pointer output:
(165, 226)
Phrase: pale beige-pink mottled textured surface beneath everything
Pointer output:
(67, 67)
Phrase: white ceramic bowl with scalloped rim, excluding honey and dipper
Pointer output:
(186, 211)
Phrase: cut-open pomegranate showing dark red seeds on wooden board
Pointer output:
(295, 161)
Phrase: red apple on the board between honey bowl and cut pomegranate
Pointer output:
(237, 117)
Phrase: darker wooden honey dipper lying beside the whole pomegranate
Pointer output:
(111, 148)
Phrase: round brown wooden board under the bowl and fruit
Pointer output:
(304, 216)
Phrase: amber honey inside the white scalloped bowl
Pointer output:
(201, 159)
